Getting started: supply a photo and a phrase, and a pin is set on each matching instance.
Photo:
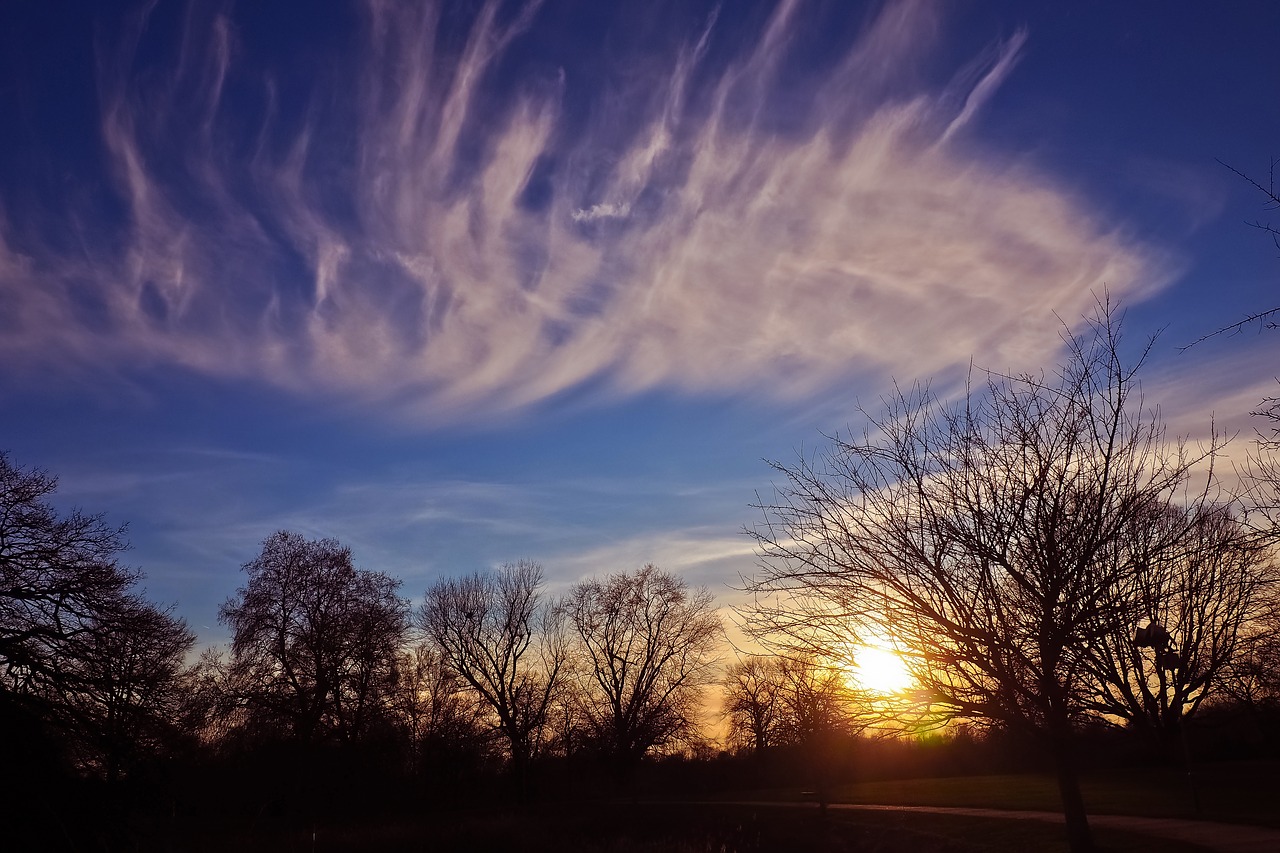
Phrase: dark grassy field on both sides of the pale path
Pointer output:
(1245, 793)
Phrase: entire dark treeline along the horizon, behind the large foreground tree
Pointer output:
(337, 696)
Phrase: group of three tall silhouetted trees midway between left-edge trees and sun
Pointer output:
(487, 672)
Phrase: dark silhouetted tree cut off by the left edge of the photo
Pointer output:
(79, 647)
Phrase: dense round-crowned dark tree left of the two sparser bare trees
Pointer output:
(314, 640)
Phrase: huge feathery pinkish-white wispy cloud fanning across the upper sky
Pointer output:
(423, 234)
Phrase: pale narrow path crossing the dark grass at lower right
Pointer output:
(1228, 838)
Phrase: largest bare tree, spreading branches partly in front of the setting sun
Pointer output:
(984, 539)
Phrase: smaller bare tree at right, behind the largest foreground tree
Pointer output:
(1190, 612)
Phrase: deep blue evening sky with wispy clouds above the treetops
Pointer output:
(461, 284)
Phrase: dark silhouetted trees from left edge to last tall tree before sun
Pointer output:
(335, 694)
